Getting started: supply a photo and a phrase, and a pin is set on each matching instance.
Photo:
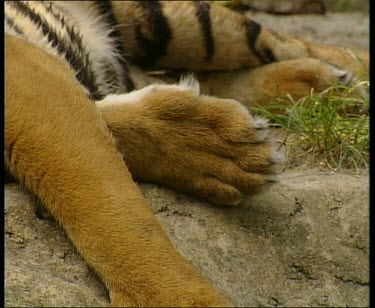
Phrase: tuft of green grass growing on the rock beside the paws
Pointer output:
(324, 127)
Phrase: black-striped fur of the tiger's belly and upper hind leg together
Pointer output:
(99, 38)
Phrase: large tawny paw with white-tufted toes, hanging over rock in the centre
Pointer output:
(200, 145)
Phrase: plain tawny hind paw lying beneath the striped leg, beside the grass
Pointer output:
(263, 84)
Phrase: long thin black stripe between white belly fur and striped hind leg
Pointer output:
(106, 10)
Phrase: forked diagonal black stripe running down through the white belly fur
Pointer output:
(78, 60)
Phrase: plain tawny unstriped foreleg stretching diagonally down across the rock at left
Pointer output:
(60, 149)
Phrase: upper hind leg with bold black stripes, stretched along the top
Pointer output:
(204, 36)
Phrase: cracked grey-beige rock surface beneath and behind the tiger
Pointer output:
(303, 242)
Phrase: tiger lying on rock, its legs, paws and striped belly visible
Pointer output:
(84, 123)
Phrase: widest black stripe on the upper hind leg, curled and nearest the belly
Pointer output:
(157, 46)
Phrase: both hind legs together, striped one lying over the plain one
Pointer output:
(203, 36)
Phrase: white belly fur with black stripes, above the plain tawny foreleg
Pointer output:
(87, 42)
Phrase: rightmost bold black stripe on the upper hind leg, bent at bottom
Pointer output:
(253, 30)
